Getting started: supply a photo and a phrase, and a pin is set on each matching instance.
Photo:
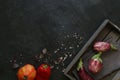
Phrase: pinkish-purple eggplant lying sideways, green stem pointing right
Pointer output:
(103, 46)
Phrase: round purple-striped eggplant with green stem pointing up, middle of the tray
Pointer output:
(95, 64)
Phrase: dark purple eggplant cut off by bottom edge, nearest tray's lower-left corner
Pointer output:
(82, 72)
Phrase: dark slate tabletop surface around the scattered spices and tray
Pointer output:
(28, 26)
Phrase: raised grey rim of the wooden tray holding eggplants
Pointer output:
(87, 44)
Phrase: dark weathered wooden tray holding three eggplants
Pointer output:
(108, 32)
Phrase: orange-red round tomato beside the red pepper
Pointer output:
(27, 72)
